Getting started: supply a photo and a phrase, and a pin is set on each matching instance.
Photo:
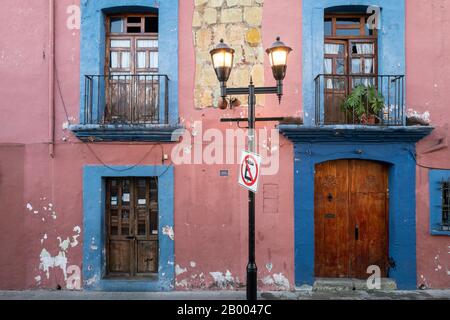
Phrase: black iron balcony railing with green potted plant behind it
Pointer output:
(372, 100)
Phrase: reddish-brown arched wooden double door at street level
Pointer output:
(351, 218)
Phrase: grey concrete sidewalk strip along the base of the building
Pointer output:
(227, 295)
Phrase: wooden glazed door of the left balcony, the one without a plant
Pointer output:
(132, 86)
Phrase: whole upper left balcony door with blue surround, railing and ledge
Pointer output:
(128, 92)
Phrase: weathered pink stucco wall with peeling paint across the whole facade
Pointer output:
(210, 211)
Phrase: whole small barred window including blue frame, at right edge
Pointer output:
(439, 202)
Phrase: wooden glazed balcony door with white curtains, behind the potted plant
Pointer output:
(350, 59)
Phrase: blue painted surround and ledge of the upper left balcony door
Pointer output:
(92, 62)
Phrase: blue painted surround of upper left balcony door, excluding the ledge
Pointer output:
(92, 55)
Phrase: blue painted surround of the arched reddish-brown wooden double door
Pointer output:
(402, 208)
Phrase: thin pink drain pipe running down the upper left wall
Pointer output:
(51, 78)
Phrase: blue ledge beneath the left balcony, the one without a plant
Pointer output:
(124, 132)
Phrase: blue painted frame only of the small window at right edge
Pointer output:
(435, 179)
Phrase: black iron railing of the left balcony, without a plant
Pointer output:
(126, 99)
